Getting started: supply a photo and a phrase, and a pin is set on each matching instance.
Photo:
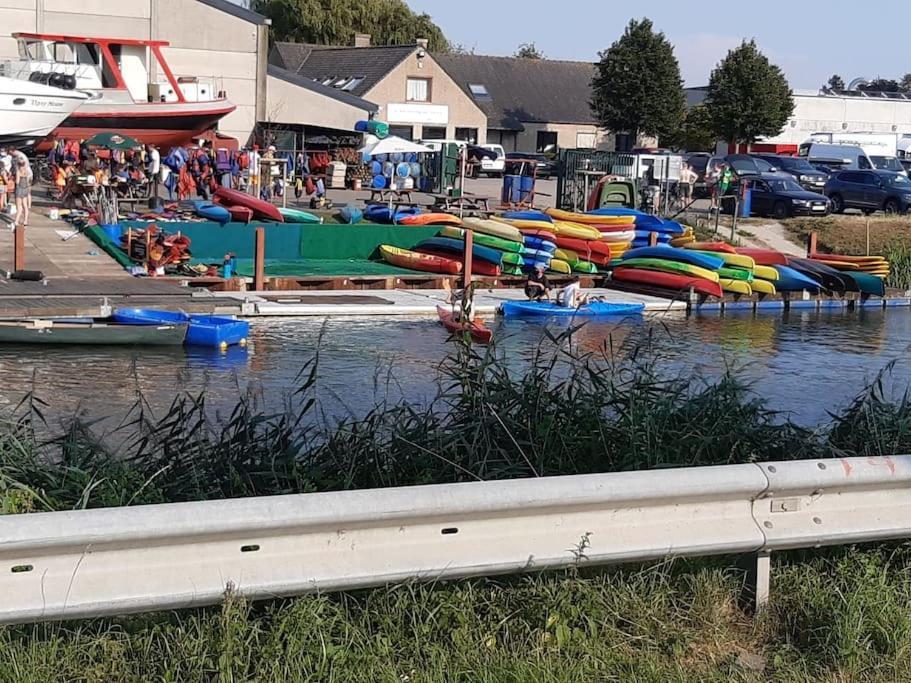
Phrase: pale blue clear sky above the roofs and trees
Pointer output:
(809, 41)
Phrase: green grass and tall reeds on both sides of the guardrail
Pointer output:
(840, 615)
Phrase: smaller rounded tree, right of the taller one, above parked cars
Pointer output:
(748, 96)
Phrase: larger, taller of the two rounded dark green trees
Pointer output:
(637, 87)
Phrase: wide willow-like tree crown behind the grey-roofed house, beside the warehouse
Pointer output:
(335, 22)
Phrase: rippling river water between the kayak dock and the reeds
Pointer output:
(803, 363)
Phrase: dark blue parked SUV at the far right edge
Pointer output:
(869, 191)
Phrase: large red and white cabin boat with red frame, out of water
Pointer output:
(130, 85)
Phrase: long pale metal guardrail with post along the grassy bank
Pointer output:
(117, 560)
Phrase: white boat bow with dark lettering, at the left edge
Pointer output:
(29, 111)
